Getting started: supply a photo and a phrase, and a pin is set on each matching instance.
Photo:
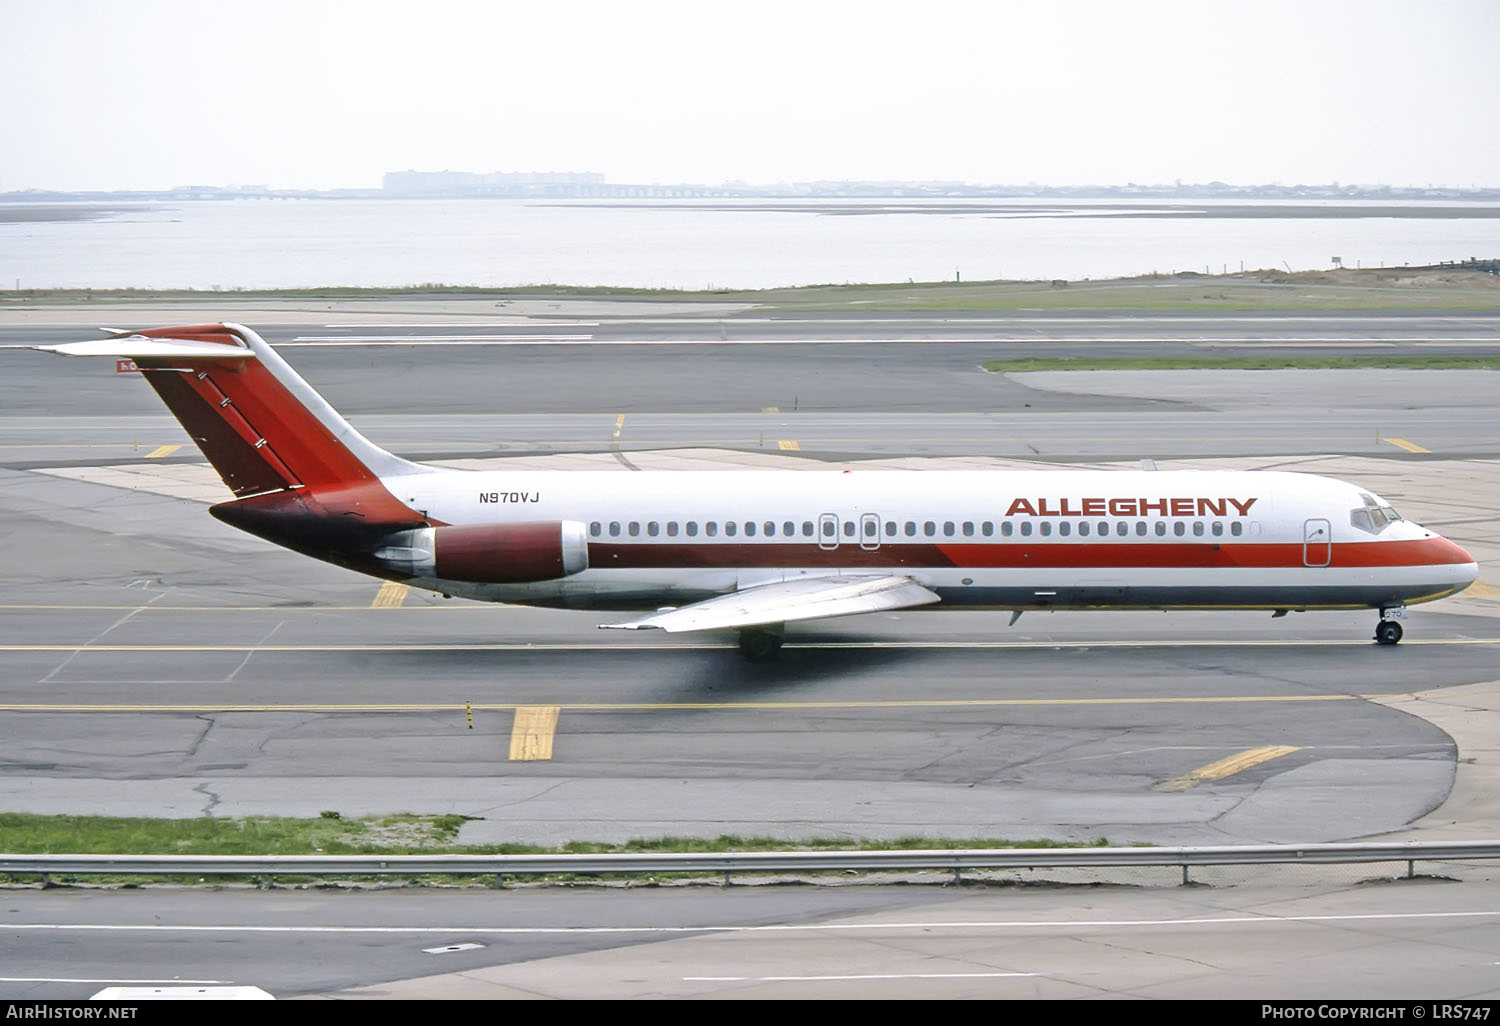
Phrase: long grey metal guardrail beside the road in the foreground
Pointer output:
(730, 863)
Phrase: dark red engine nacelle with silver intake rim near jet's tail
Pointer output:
(490, 553)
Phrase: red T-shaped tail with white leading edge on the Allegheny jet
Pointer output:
(302, 476)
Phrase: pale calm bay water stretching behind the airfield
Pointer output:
(289, 244)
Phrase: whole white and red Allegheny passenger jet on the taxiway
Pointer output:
(755, 551)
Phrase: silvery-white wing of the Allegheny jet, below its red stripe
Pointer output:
(788, 601)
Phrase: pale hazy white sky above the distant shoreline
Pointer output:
(313, 94)
